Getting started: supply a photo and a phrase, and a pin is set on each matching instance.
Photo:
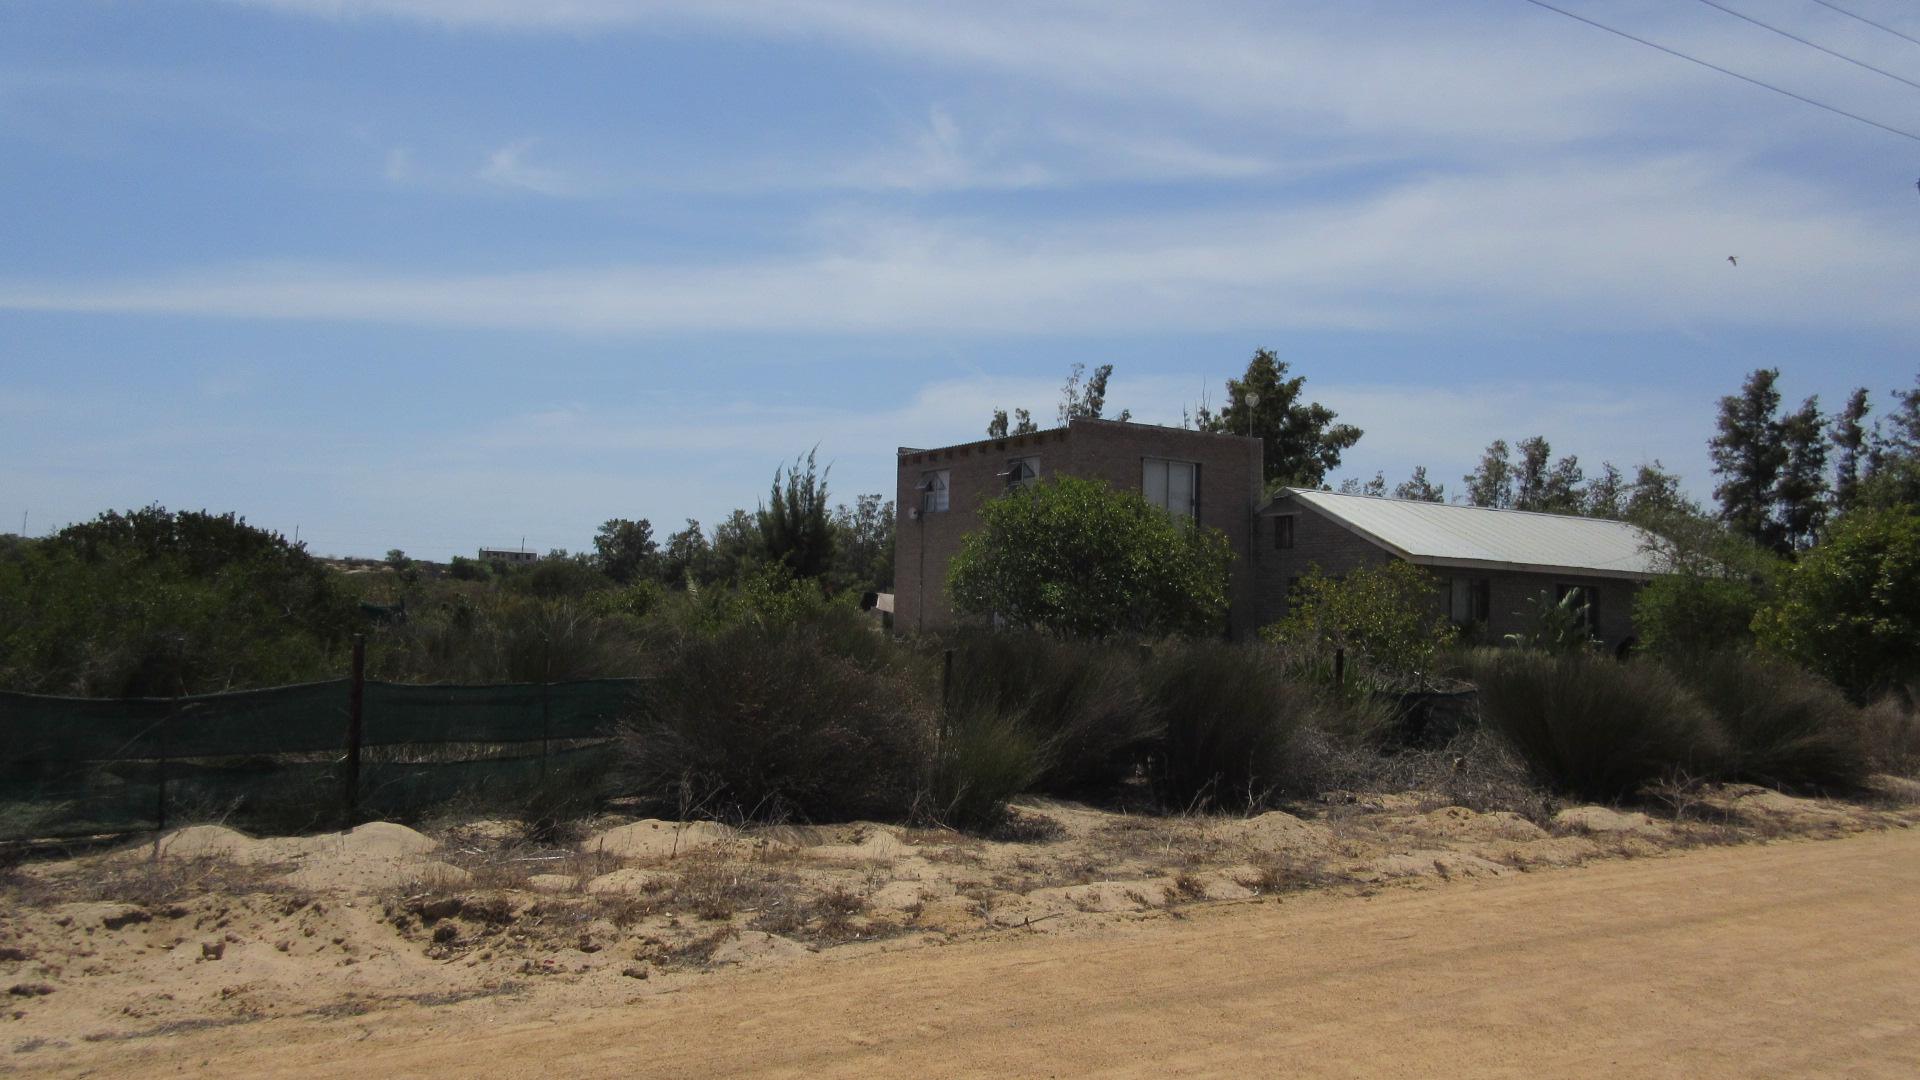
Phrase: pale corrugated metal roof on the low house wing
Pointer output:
(1472, 537)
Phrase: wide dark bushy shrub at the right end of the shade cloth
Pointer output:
(775, 724)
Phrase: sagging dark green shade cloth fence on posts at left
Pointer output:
(276, 758)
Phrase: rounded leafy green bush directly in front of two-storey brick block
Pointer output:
(1074, 556)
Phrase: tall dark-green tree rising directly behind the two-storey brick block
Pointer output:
(1303, 441)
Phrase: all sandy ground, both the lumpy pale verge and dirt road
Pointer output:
(1387, 937)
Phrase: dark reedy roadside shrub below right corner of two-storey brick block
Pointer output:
(1228, 722)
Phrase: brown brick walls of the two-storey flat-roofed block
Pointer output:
(1103, 451)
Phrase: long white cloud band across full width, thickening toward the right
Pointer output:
(1572, 245)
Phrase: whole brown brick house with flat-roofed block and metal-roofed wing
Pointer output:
(1493, 564)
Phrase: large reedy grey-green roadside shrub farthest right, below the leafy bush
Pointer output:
(1781, 725)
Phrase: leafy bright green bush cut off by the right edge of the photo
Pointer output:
(1850, 610)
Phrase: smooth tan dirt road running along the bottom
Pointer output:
(1792, 960)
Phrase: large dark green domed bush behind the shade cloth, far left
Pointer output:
(155, 602)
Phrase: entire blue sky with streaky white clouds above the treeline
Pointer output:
(446, 274)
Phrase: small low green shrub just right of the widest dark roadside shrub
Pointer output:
(982, 760)
